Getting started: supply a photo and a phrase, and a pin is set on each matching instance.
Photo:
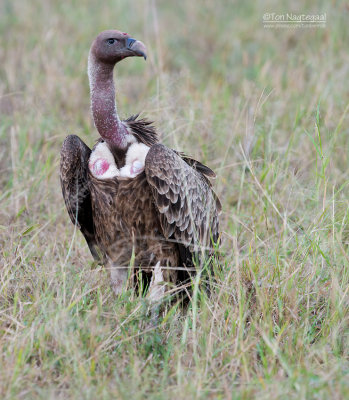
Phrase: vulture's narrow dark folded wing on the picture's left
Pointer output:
(75, 188)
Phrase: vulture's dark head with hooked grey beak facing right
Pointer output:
(112, 46)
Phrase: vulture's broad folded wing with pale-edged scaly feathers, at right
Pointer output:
(187, 205)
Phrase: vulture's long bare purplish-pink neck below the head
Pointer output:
(103, 106)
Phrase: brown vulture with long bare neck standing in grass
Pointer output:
(140, 205)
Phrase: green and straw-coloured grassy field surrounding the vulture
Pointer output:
(268, 110)
